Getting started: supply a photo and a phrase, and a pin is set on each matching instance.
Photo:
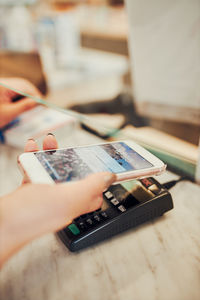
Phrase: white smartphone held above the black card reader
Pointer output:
(125, 158)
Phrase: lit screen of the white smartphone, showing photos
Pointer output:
(76, 163)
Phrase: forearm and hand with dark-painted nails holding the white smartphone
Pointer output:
(36, 209)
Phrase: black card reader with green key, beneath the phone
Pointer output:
(125, 206)
